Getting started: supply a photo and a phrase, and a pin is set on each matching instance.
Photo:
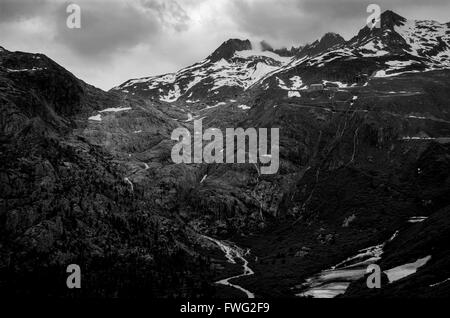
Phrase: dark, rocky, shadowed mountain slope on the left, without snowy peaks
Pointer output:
(65, 201)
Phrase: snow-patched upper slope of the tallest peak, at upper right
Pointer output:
(399, 46)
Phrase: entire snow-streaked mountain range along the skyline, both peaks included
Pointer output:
(398, 46)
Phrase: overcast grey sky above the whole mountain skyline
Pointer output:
(119, 40)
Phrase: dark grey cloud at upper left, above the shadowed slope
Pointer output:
(107, 26)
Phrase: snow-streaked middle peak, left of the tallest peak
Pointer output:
(229, 71)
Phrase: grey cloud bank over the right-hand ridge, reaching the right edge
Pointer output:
(300, 21)
